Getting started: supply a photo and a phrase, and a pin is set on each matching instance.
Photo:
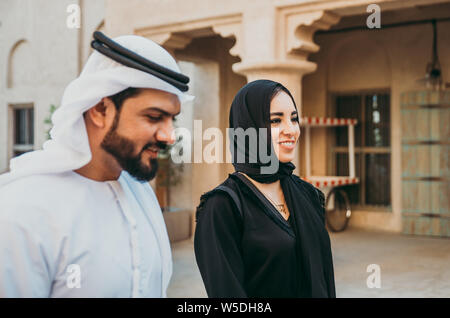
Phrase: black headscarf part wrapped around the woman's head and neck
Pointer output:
(251, 109)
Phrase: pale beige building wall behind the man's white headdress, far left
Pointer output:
(39, 56)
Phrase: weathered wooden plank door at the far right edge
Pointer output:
(425, 163)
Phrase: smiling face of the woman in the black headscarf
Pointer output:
(285, 126)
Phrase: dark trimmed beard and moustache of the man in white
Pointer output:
(123, 149)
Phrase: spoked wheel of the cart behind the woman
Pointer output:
(338, 211)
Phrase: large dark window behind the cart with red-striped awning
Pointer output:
(372, 147)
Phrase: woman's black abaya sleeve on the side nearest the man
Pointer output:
(217, 247)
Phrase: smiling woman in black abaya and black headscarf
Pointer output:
(263, 234)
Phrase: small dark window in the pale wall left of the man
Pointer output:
(23, 129)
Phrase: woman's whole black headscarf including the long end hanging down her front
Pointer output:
(251, 108)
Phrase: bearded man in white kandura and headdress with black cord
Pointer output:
(79, 218)
